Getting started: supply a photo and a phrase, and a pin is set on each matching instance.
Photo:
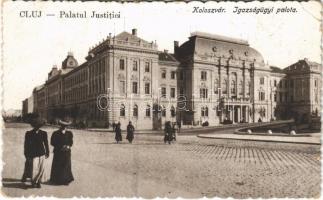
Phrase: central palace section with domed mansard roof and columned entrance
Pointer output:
(226, 79)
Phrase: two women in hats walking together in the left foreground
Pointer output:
(36, 150)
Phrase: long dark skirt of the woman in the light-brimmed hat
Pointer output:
(61, 173)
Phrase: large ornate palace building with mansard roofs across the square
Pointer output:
(208, 78)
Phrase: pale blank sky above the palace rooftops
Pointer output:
(32, 46)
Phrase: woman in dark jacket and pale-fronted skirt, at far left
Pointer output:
(36, 150)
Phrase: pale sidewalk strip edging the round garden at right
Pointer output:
(314, 138)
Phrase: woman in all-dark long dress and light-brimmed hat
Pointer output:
(62, 141)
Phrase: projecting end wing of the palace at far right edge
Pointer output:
(303, 93)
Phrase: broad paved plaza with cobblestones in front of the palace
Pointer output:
(192, 167)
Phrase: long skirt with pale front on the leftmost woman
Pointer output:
(35, 169)
